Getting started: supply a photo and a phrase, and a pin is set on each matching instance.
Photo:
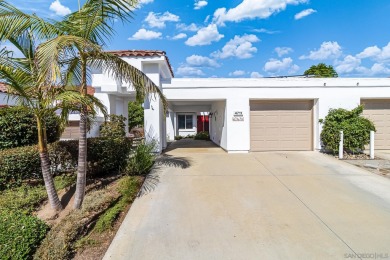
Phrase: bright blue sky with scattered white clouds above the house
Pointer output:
(252, 38)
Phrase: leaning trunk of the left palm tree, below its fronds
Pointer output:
(54, 201)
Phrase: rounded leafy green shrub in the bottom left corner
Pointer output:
(20, 235)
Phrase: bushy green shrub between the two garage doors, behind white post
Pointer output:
(356, 129)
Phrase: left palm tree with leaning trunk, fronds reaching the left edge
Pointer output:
(25, 80)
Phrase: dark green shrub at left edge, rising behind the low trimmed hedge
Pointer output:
(18, 127)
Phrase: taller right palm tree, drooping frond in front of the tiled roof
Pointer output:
(83, 34)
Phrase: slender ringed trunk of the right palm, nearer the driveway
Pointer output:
(82, 160)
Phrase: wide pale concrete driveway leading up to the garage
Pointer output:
(281, 205)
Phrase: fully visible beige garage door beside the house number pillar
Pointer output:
(281, 125)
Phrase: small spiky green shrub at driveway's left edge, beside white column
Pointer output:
(141, 159)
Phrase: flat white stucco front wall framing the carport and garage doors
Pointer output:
(326, 93)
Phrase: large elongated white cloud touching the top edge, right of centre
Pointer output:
(251, 9)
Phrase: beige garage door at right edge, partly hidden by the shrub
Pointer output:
(379, 112)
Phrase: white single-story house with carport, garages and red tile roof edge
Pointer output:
(242, 115)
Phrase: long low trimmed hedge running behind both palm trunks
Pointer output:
(104, 155)
